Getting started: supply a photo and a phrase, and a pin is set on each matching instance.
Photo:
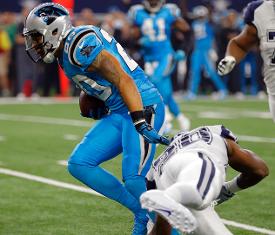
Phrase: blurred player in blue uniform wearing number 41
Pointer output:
(153, 21)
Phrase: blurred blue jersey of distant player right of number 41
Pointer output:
(204, 34)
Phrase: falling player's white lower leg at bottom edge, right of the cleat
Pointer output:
(209, 223)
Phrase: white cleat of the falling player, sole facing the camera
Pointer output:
(176, 214)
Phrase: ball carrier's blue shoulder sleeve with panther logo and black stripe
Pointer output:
(84, 48)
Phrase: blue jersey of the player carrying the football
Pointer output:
(82, 46)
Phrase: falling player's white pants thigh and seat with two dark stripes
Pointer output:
(191, 180)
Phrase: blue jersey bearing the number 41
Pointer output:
(155, 28)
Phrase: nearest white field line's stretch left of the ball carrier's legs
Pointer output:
(48, 181)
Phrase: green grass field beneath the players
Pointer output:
(34, 137)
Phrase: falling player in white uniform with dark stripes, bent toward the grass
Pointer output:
(190, 174)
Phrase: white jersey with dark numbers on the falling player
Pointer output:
(208, 140)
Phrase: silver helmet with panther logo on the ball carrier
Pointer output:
(45, 27)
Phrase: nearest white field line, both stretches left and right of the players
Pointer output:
(86, 190)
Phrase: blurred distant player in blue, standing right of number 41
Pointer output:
(203, 55)
